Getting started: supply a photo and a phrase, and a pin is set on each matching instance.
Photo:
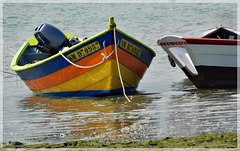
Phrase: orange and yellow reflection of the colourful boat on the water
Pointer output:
(81, 118)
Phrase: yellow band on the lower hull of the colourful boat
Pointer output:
(104, 77)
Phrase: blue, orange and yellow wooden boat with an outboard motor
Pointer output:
(81, 67)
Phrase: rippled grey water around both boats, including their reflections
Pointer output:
(167, 104)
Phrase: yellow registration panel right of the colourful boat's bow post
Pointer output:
(130, 47)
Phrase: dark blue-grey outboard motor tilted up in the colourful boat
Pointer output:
(51, 40)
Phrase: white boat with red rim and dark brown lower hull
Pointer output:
(209, 61)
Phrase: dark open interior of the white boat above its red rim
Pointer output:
(222, 33)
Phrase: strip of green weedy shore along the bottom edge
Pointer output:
(222, 140)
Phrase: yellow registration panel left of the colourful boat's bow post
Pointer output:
(76, 55)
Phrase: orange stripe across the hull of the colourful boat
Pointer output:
(71, 71)
